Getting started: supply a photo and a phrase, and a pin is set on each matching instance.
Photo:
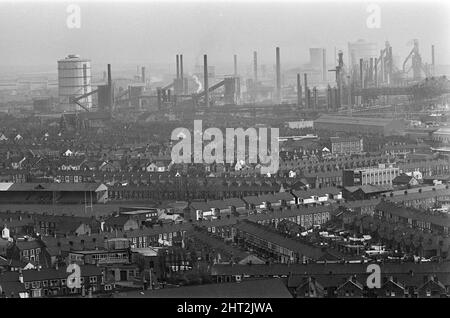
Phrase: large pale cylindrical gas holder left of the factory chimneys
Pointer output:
(74, 80)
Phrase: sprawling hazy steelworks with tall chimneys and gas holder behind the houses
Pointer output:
(371, 83)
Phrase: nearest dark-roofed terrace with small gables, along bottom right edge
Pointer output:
(406, 280)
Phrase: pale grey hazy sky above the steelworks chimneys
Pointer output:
(152, 33)
